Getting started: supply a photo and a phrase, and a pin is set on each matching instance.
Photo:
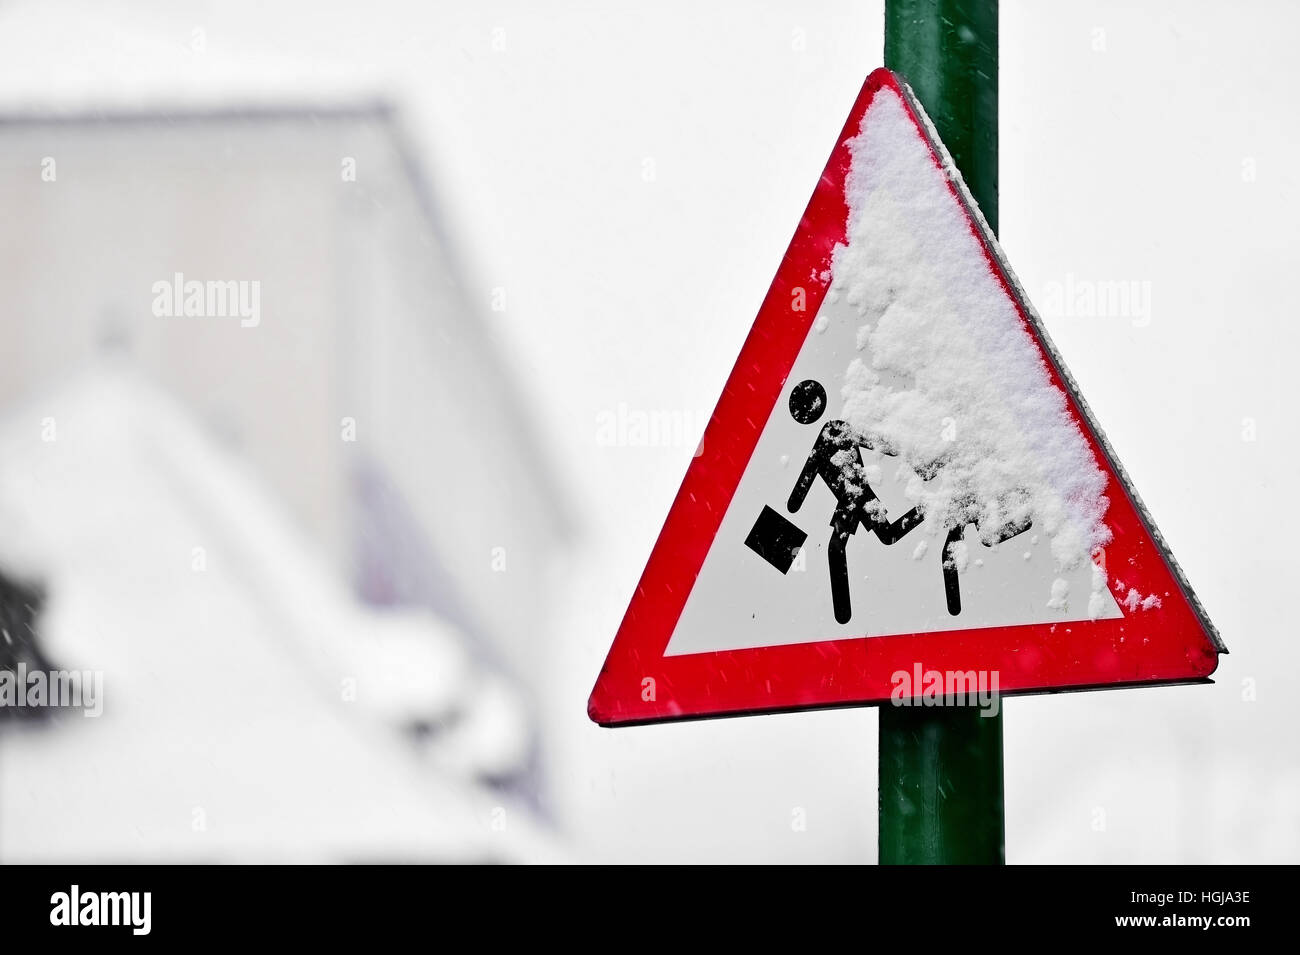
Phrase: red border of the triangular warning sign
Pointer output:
(639, 684)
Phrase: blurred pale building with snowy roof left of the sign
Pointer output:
(255, 432)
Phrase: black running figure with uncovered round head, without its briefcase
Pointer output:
(837, 459)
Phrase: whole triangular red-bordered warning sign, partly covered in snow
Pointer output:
(899, 476)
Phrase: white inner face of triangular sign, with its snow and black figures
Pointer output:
(918, 349)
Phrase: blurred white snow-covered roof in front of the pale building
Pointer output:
(250, 705)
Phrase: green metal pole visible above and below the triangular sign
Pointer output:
(942, 767)
